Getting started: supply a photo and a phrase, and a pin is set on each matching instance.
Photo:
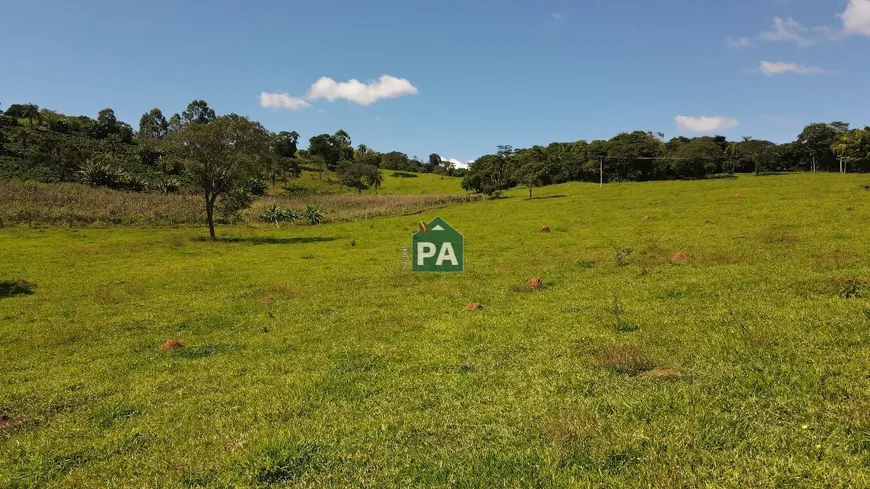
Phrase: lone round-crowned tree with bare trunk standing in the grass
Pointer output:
(220, 156)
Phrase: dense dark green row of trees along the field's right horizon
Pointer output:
(643, 156)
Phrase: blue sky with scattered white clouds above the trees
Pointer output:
(462, 76)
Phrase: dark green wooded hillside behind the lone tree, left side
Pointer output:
(44, 145)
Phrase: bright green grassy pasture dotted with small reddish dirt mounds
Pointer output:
(312, 362)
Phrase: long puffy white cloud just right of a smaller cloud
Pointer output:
(362, 93)
